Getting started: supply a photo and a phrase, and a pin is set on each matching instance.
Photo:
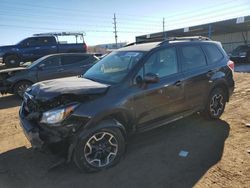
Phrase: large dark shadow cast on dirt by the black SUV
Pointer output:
(151, 160)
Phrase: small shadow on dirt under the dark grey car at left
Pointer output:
(9, 101)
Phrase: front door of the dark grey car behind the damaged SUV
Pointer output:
(50, 68)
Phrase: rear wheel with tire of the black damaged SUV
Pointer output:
(216, 104)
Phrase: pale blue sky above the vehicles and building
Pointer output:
(20, 19)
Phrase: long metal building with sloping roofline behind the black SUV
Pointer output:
(231, 33)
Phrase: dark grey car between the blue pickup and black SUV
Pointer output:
(17, 80)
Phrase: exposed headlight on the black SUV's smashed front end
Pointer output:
(57, 115)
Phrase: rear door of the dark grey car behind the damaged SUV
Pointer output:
(76, 64)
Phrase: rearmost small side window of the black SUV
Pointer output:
(213, 53)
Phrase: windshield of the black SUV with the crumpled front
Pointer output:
(114, 67)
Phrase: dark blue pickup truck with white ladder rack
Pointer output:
(38, 46)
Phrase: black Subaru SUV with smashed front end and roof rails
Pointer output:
(133, 89)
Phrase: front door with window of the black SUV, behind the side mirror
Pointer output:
(160, 100)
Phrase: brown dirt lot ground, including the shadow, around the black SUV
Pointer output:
(217, 156)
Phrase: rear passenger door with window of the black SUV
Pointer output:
(196, 75)
